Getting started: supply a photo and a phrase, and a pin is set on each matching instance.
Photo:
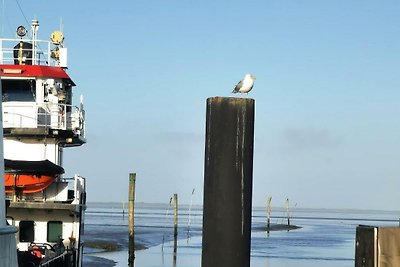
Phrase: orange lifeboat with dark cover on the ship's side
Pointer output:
(29, 176)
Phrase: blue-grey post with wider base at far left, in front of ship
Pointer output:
(7, 233)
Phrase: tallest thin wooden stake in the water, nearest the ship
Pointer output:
(131, 199)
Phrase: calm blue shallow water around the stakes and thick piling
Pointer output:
(326, 237)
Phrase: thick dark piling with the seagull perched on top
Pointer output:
(228, 179)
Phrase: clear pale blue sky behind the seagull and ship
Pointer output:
(327, 130)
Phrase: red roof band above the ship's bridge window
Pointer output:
(33, 71)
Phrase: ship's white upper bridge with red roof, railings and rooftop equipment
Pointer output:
(37, 91)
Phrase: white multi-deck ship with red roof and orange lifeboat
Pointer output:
(40, 121)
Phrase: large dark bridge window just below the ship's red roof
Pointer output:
(18, 90)
